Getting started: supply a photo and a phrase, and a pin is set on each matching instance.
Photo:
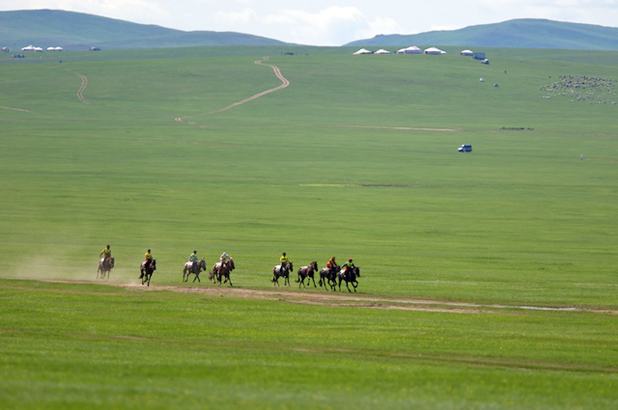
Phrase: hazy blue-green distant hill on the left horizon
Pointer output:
(74, 31)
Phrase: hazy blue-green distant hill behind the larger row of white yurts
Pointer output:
(518, 33)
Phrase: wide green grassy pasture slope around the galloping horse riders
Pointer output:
(356, 158)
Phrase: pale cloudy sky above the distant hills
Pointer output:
(330, 22)
